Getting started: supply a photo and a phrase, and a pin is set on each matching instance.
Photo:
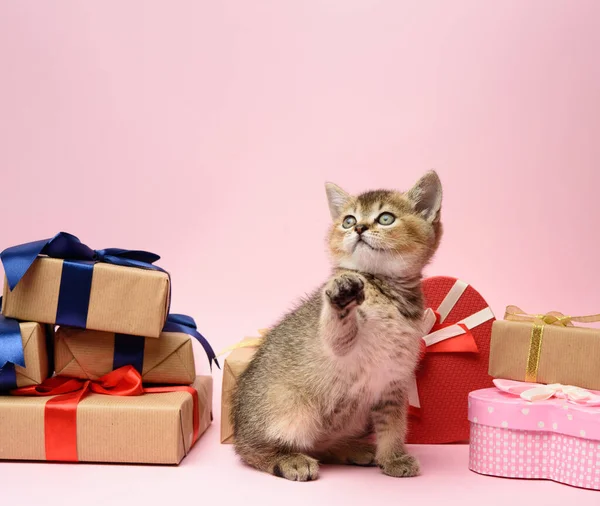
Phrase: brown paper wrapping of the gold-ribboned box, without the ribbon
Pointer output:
(569, 355)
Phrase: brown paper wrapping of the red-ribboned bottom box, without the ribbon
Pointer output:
(154, 428)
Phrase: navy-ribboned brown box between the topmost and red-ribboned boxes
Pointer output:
(89, 354)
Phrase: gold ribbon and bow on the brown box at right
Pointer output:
(537, 332)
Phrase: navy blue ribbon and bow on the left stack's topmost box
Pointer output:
(78, 266)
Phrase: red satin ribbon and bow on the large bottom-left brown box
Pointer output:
(60, 412)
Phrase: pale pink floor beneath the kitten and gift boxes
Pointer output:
(211, 474)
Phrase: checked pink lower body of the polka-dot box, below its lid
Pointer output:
(514, 453)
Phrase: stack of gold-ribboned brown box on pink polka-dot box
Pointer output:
(541, 420)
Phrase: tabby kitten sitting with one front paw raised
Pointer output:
(339, 365)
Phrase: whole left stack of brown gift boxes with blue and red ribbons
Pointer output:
(93, 366)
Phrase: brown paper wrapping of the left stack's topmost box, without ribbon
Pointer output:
(123, 299)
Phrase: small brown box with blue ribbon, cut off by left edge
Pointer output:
(23, 353)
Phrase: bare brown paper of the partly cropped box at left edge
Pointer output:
(36, 356)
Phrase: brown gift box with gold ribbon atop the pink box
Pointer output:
(546, 348)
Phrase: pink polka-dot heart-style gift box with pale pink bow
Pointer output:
(527, 431)
